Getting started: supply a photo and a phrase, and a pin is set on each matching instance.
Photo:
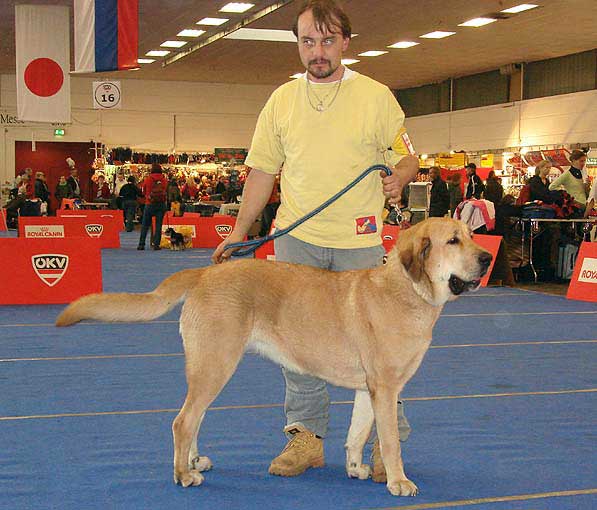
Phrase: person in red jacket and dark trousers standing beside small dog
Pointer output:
(154, 191)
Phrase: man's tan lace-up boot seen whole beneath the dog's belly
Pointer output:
(303, 451)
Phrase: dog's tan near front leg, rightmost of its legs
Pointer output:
(385, 407)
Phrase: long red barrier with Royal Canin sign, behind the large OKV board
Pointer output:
(43, 227)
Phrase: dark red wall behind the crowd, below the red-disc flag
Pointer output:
(50, 158)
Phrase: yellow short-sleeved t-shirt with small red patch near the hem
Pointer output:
(321, 152)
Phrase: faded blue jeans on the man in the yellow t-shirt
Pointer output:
(307, 400)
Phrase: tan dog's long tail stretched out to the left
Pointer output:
(124, 307)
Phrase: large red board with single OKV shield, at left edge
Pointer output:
(48, 271)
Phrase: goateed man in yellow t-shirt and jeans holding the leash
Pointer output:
(323, 130)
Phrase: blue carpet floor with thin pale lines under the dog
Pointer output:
(460, 449)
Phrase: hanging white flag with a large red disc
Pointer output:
(43, 56)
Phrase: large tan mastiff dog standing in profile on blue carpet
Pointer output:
(367, 330)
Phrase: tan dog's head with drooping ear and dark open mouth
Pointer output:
(441, 259)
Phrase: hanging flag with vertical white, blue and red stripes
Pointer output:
(106, 35)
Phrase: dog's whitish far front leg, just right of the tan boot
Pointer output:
(360, 428)
